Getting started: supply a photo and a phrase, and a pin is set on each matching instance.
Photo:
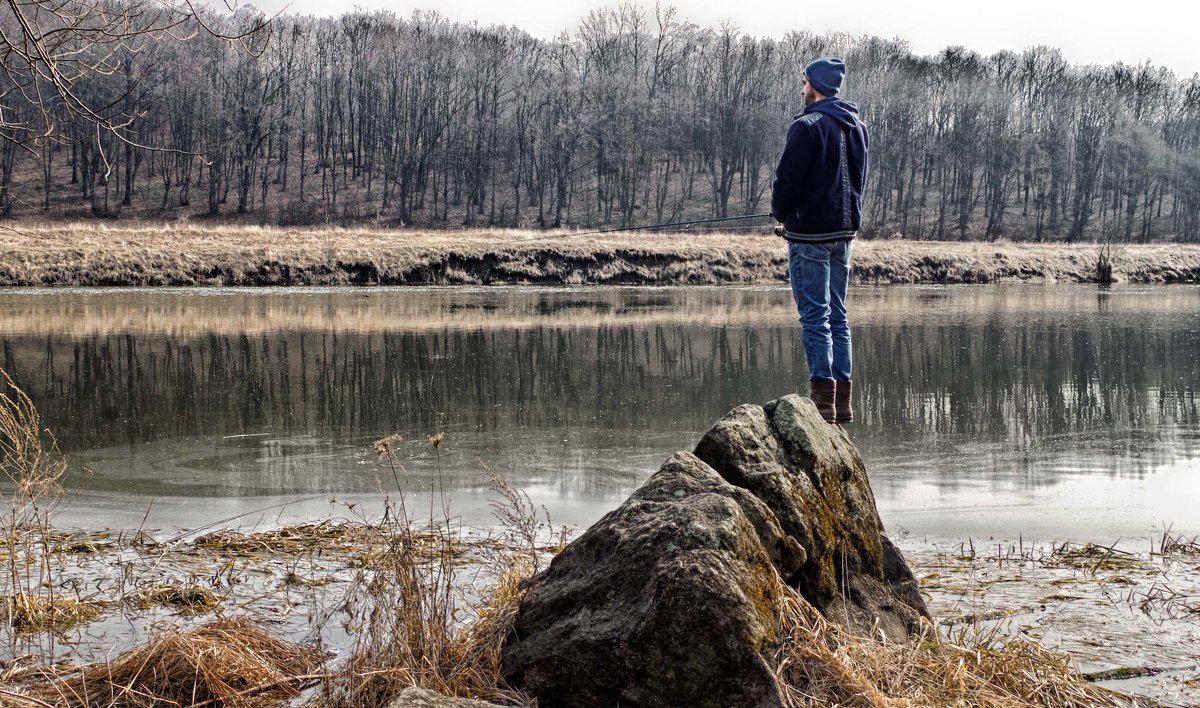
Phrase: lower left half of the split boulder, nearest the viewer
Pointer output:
(670, 601)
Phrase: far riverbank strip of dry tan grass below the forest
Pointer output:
(182, 255)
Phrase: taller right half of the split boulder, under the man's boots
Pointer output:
(814, 481)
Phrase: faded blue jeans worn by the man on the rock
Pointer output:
(820, 274)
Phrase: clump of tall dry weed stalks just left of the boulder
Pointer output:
(417, 628)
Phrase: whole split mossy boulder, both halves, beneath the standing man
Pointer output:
(673, 599)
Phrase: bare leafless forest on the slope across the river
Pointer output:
(637, 117)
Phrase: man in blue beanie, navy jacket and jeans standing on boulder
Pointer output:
(818, 196)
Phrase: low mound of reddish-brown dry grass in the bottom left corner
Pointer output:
(231, 663)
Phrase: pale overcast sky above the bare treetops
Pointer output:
(1087, 32)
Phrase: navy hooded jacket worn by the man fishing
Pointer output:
(819, 185)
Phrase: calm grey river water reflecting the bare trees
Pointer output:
(986, 411)
